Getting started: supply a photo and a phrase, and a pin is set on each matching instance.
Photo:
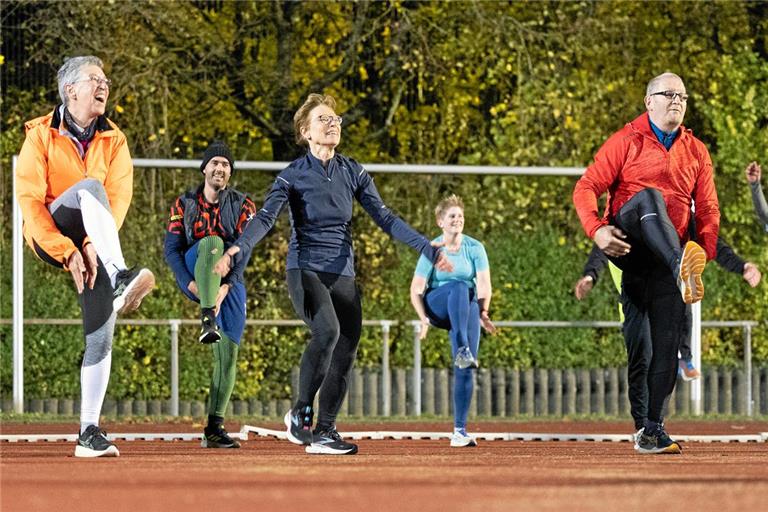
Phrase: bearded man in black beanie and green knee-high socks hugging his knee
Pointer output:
(203, 223)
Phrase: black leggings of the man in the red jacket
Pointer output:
(656, 318)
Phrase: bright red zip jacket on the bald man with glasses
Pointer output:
(633, 159)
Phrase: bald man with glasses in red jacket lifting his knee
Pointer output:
(652, 169)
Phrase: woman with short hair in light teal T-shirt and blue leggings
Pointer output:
(457, 301)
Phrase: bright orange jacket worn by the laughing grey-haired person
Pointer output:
(49, 163)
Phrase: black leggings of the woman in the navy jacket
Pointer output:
(330, 306)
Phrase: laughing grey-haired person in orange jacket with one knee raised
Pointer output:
(74, 184)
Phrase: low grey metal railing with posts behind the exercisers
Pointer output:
(385, 326)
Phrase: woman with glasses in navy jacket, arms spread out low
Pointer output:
(320, 189)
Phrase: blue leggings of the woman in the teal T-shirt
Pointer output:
(454, 307)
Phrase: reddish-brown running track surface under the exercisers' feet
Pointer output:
(403, 476)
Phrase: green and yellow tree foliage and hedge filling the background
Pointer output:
(467, 82)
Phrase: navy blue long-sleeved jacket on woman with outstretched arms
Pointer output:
(320, 201)
